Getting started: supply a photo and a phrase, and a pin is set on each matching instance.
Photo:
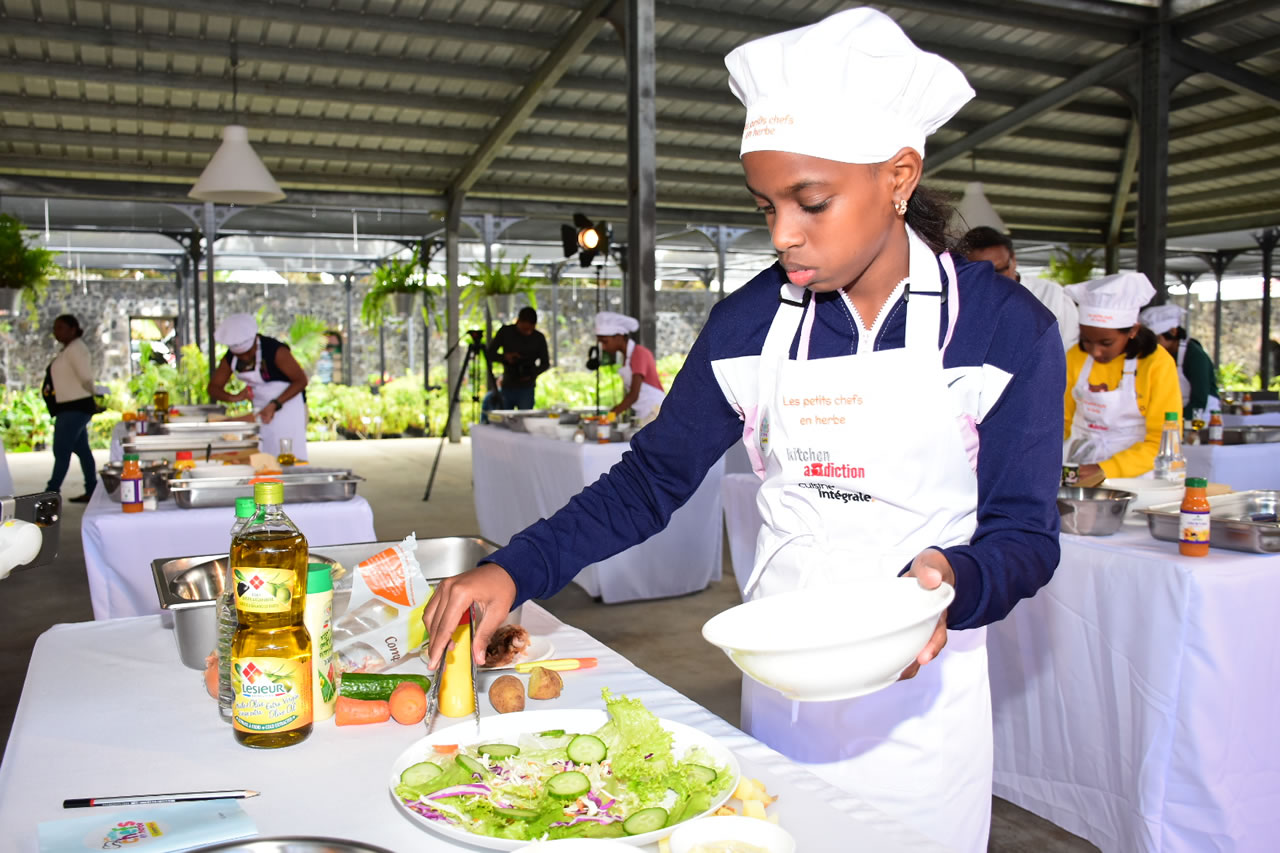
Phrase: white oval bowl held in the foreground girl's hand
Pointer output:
(836, 642)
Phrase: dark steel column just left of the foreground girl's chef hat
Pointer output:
(642, 167)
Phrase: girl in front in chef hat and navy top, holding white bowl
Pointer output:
(861, 364)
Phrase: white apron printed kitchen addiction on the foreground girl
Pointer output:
(921, 750)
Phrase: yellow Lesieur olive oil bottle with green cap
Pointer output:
(272, 651)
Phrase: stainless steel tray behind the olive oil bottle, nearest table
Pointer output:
(189, 587)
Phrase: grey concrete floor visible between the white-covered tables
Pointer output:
(660, 637)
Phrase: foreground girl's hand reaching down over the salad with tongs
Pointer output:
(490, 589)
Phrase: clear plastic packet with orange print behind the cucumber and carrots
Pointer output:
(378, 610)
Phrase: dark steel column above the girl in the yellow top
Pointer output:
(1155, 88)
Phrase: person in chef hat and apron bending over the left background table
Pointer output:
(273, 380)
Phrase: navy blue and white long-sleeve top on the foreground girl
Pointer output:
(1007, 370)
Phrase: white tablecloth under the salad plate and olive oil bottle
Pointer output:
(109, 710)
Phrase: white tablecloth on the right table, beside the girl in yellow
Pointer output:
(1135, 697)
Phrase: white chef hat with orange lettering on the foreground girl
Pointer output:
(852, 89)
